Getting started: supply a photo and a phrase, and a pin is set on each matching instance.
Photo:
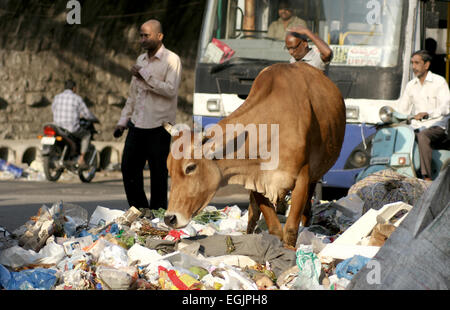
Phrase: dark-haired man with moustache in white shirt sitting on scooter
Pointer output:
(427, 97)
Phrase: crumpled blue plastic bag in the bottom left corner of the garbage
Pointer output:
(33, 279)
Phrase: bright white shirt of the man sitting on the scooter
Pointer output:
(432, 97)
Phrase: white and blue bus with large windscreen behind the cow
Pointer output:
(372, 41)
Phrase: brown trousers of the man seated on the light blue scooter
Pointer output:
(425, 139)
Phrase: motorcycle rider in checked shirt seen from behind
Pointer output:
(68, 108)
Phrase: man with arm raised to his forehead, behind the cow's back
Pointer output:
(297, 46)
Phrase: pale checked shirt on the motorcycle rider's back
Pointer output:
(68, 108)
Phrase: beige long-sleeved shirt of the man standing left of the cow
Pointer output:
(153, 102)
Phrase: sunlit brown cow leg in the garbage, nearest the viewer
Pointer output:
(298, 202)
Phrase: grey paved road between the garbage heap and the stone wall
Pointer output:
(21, 199)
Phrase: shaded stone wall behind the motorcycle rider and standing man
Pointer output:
(39, 50)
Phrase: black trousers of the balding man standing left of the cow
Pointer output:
(143, 146)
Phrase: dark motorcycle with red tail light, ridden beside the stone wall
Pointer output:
(61, 150)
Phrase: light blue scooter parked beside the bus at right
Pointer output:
(394, 146)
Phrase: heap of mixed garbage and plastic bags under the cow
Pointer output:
(62, 248)
